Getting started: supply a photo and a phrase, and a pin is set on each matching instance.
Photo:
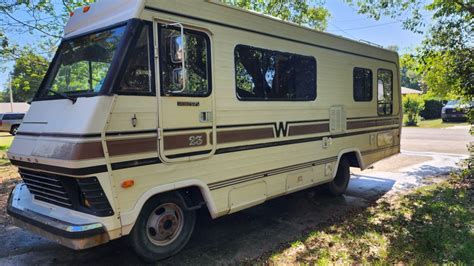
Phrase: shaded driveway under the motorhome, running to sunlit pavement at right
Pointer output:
(259, 230)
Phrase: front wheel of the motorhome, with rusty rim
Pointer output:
(163, 228)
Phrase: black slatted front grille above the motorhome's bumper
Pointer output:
(81, 194)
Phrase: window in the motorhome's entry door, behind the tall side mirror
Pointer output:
(194, 80)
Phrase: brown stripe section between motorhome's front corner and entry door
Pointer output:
(129, 146)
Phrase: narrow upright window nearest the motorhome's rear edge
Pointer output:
(385, 92)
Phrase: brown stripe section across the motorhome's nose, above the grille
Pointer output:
(69, 151)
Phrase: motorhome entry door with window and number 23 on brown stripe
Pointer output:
(186, 102)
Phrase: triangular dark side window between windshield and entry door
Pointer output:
(137, 78)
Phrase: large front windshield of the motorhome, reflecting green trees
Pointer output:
(82, 63)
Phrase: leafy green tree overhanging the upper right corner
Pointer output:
(446, 57)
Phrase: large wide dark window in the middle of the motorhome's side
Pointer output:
(265, 75)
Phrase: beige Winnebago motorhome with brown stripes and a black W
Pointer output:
(153, 109)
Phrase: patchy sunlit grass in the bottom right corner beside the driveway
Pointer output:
(432, 225)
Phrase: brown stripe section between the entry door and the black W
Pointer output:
(244, 135)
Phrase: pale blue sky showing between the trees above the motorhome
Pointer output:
(344, 21)
